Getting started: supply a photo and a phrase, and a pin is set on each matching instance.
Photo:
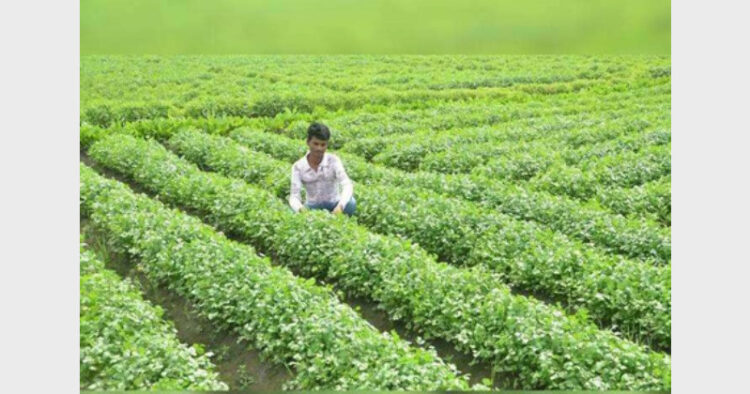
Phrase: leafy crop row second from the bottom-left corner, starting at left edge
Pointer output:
(291, 320)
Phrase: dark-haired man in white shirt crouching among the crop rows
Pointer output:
(321, 173)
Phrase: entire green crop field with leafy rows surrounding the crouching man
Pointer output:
(513, 225)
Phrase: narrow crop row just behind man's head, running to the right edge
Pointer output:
(379, 121)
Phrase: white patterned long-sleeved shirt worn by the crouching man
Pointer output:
(320, 185)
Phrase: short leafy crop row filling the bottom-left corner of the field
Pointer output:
(125, 343)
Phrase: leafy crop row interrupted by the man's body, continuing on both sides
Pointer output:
(631, 295)
